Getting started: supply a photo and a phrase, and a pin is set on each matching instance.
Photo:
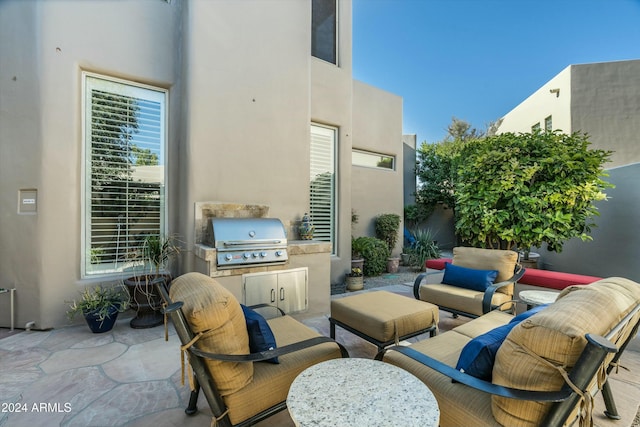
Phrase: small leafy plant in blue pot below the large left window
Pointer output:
(100, 306)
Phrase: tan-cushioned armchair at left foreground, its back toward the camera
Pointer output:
(241, 387)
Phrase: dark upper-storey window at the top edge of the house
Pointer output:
(324, 30)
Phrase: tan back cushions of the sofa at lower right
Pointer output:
(555, 338)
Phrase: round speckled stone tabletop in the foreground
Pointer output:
(360, 392)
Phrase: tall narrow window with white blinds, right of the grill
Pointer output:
(322, 186)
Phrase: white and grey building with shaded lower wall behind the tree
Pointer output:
(603, 100)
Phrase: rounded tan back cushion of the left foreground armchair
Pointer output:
(213, 310)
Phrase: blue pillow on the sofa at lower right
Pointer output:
(478, 356)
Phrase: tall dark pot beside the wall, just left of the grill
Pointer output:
(146, 301)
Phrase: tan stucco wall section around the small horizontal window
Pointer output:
(377, 122)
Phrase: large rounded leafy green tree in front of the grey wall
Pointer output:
(527, 189)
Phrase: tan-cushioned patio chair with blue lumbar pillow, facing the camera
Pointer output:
(476, 282)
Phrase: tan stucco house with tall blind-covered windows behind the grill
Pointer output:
(239, 104)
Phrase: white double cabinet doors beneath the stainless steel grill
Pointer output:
(285, 289)
